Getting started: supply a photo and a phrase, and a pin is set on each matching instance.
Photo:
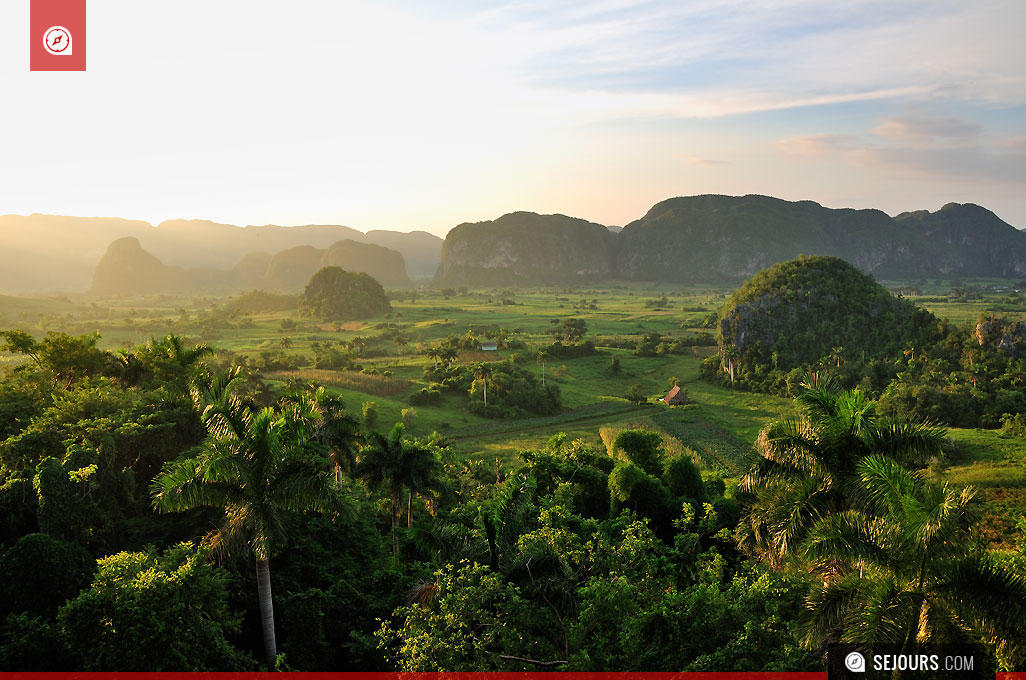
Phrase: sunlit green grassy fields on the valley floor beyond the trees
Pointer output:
(718, 428)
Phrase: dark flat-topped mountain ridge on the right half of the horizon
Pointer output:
(714, 238)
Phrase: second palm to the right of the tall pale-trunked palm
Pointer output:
(396, 463)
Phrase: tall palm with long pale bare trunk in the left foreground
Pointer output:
(256, 465)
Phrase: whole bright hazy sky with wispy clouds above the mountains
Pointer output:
(422, 115)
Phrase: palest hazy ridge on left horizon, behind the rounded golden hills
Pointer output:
(52, 253)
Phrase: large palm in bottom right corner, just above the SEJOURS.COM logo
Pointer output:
(901, 569)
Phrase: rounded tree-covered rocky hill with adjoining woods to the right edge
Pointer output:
(821, 317)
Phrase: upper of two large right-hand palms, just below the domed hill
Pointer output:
(808, 463)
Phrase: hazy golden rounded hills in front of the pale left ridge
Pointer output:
(128, 269)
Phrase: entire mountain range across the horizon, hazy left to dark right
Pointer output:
(708, 238)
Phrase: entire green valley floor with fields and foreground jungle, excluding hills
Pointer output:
(357, 464)
